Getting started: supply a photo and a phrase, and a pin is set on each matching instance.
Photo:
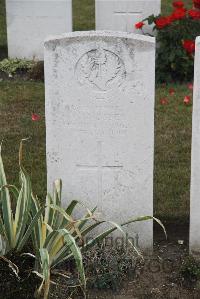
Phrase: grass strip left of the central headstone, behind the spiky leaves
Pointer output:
(18, 100)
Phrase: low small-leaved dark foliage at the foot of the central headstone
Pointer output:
(107, 266)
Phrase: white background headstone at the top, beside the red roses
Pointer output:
(122, 15)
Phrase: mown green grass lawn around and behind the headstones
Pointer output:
(173, 129)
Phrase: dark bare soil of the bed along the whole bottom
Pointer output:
(158, 276)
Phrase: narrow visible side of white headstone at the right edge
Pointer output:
(195, 171)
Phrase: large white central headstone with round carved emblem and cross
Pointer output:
(100, 122)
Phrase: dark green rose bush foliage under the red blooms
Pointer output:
(173, 62)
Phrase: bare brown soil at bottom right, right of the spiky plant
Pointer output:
(159, 275)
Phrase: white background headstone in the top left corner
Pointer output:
(29, 22)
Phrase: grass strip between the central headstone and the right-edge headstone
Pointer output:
(172, 153)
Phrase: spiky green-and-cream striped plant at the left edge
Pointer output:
(15, 223)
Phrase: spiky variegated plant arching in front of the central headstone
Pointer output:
(59, 237)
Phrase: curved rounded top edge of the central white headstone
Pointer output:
(100, 33)
